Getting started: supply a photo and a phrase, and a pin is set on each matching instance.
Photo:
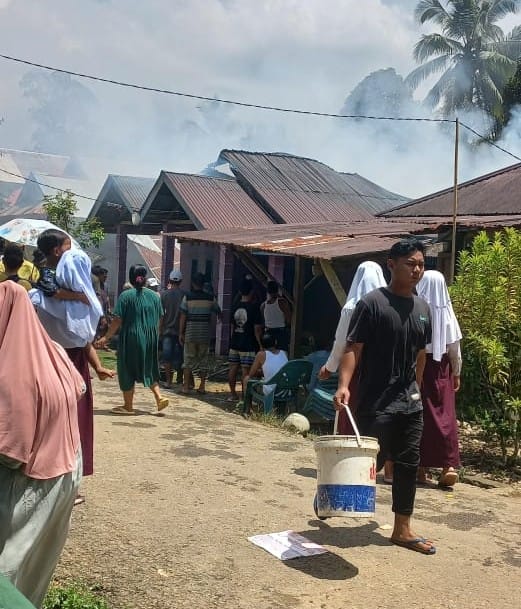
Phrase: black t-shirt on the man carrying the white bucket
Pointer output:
(393, 329)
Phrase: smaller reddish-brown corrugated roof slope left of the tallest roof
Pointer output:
(216, 202)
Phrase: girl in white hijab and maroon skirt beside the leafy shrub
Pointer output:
(441, 379)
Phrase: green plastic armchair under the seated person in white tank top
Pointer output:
(288, 380)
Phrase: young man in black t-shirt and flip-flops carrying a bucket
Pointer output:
(387, 336)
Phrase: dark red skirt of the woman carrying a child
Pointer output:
(78, 357)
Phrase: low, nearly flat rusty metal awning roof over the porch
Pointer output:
(335, 239)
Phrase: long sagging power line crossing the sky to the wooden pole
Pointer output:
(222, 101)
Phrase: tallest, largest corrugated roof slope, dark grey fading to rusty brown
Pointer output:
(296, 189)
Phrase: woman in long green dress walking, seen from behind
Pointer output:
(137, 314)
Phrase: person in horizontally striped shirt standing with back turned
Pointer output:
(196, 311)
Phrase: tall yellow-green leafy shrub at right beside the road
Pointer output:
(486, 296)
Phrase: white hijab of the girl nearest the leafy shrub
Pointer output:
(445, 328)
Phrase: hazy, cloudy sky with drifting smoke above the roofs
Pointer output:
(306, 54)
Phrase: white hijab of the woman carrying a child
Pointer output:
(73, 273)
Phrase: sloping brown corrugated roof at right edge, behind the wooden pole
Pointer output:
(493, 193)
